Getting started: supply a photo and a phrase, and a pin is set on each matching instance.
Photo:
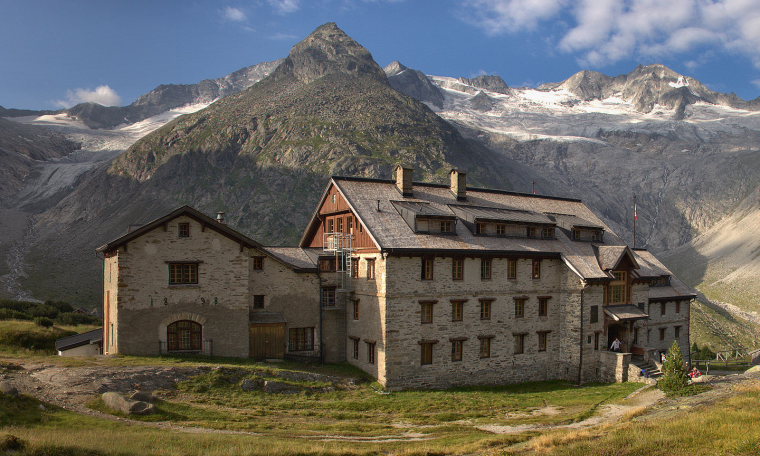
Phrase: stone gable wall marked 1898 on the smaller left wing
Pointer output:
(147, 303)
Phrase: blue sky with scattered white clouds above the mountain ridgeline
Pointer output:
(57, 53)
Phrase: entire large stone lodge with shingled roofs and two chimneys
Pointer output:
(420, 285)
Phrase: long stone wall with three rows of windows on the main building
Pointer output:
(406, 331)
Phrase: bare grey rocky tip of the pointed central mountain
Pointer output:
(328, 50)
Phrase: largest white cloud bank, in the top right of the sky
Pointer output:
(601, 32)
